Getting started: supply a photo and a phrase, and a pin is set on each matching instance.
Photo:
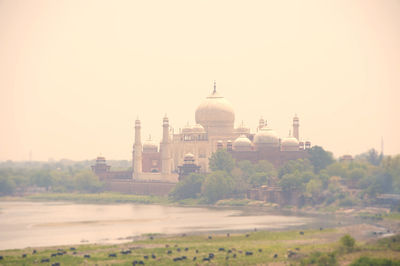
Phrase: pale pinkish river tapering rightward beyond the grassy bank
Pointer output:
(35, 224)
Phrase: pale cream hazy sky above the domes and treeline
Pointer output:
(74, 75)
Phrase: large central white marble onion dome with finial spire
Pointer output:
(215, 112)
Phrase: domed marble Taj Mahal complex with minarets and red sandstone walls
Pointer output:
(194, 144)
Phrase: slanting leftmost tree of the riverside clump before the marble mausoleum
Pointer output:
(189, 187)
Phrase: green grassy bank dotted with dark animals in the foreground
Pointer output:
(267, 248)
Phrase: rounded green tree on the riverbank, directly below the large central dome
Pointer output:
(216, 186)
